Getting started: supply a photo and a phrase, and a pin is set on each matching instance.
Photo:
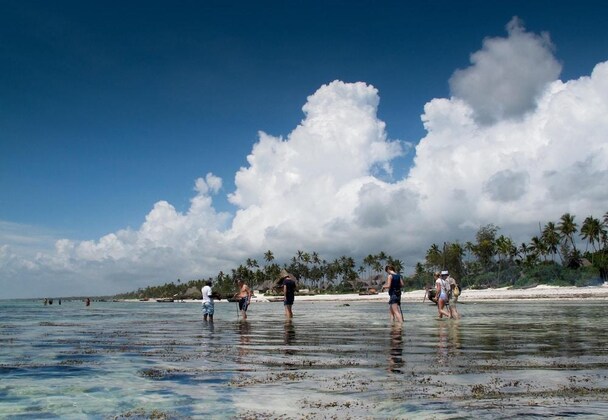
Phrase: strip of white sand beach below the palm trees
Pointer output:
(541, 292)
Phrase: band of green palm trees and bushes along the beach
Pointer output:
(492, 260)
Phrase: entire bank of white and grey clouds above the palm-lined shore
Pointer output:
(513, 146)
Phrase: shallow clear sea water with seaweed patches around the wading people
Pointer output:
(140, 360)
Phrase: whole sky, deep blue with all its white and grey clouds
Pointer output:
(144, 142)
